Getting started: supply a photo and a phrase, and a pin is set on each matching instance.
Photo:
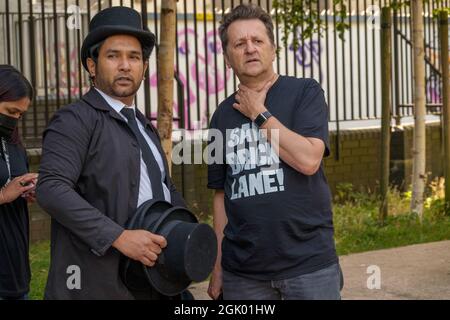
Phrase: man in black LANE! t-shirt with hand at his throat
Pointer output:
(272, 206)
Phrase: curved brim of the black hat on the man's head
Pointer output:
(146, 38)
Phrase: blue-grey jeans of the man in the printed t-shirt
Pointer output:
(324, 284)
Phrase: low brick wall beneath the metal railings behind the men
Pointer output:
(358, 164)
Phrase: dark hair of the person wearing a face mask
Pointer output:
(14, 86)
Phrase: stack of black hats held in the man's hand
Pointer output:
(189, 256)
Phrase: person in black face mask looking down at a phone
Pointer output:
(17, 186)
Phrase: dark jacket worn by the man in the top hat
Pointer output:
(89, 184)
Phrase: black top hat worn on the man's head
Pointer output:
(113, 21)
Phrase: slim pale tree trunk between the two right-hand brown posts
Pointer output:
(419, 175)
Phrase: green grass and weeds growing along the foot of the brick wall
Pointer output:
(357, 227)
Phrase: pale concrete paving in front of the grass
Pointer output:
(414, 272)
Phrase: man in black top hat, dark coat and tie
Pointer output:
(101, 159)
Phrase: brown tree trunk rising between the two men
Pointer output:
(166, 76)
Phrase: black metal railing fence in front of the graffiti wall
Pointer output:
(43, 39)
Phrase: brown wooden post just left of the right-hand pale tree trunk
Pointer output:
(386, 110)
